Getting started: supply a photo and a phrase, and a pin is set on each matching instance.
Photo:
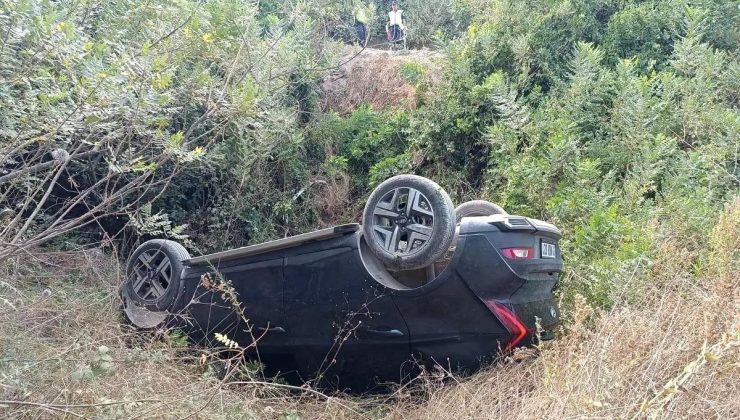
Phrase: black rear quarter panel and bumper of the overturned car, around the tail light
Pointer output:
(448, 319)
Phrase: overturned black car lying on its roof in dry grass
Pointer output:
(418, 283)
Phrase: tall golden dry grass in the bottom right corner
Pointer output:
(672, 353)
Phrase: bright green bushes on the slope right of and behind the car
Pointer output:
(616, 120)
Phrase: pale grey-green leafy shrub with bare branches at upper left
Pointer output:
(105, 104)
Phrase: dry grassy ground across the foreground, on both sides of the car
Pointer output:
(669, 348)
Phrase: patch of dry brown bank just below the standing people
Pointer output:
(373, 77)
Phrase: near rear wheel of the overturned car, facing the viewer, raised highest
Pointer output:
(404, 236)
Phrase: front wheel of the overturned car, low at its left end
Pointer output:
(153, 274)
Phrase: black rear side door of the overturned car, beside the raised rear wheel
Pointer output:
(343, 329)
